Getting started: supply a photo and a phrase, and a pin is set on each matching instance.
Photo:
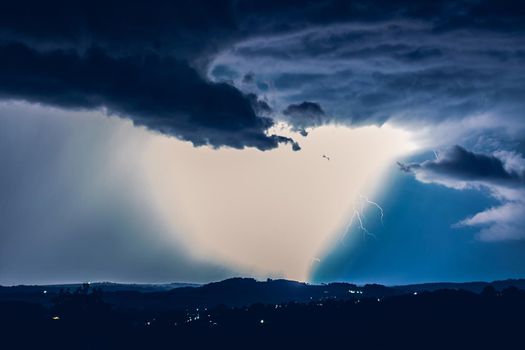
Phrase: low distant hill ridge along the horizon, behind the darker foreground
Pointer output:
(240, 291)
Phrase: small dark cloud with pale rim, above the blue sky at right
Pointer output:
(460, 164)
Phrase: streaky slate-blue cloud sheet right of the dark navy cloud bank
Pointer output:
(394, 76)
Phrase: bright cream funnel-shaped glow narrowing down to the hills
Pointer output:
(268, 213)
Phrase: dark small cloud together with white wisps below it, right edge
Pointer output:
(502, 174)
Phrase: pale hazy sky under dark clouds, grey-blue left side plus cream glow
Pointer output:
(111, 201)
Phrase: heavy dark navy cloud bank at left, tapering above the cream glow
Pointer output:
(161, 93)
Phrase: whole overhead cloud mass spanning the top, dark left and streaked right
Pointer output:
(168, 47)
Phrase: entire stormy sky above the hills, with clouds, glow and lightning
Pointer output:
(192, 141)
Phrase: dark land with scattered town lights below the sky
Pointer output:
(243, 313)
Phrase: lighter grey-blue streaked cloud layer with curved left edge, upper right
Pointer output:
(404, 70)
